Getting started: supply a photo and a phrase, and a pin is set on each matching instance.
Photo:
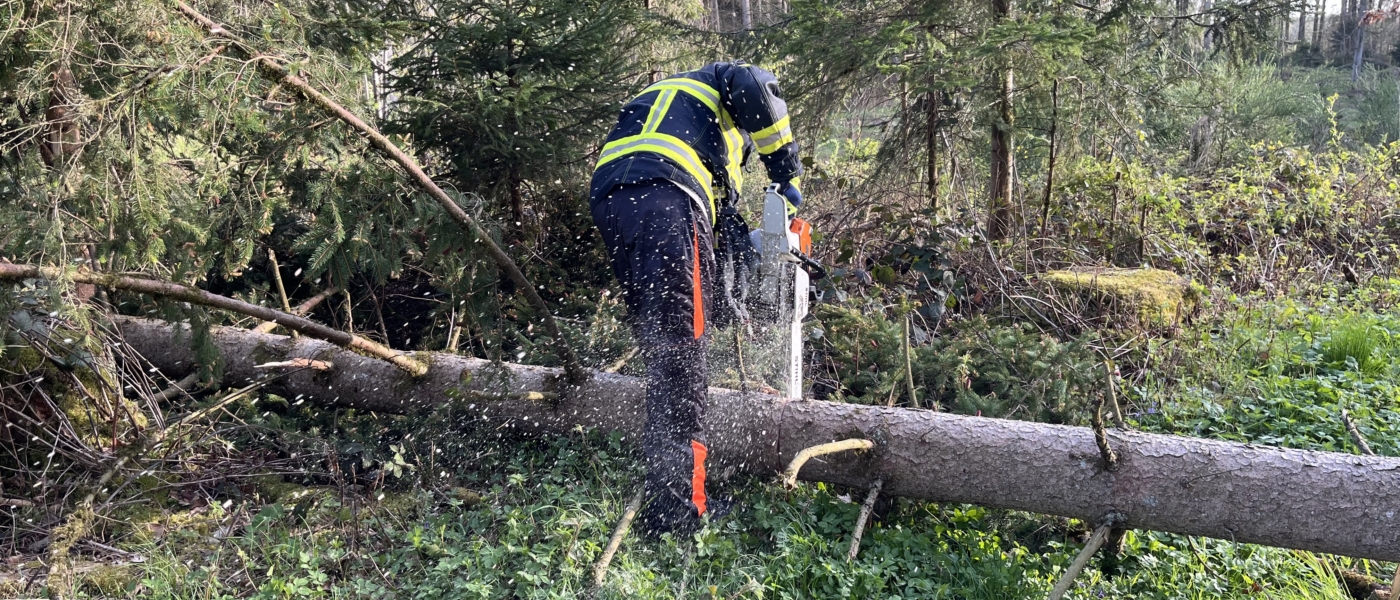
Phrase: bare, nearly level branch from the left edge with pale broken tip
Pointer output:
(197, 296)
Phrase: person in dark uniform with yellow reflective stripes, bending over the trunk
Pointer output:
(674, 160)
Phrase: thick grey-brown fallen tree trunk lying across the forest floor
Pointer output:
(1328, 503)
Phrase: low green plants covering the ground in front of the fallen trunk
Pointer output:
(549, 507)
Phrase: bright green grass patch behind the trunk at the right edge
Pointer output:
(1280, 373)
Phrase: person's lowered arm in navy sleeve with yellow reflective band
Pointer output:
(755, 101)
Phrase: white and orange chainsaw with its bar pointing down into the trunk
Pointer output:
(783, 283)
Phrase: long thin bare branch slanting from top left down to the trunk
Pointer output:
(281, 75)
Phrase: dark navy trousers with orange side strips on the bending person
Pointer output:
(661, 251)
